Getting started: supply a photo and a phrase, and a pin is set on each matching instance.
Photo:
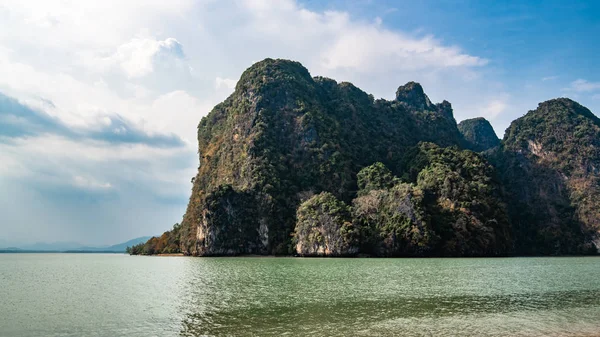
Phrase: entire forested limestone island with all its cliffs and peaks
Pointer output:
(292, 164)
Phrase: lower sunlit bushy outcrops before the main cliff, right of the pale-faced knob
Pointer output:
(451, 205)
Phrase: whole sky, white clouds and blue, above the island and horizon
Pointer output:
(99, 101)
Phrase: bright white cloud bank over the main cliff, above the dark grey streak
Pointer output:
(127, 58)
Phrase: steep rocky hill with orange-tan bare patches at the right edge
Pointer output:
(548, 161)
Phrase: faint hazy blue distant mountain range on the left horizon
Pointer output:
(71, 246)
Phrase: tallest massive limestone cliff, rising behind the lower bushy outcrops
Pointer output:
(283, 134)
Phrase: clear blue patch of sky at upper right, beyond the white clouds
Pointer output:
(537, 50)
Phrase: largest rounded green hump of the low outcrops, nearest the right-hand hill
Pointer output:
(469, 214)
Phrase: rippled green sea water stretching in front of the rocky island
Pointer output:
(119, 295)
